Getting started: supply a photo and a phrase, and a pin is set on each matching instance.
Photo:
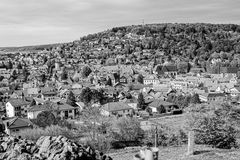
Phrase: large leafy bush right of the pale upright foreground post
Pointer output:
(214, 125)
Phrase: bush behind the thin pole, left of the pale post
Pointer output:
(166, 136)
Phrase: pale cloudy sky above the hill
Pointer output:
(34, 22)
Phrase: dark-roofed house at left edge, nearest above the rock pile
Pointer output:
(16, 124)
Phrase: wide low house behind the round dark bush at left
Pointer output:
(60, 109)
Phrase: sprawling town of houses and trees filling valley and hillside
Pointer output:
(147, 72)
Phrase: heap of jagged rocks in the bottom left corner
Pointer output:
(46, 148)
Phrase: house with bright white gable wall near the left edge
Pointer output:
(16, 107)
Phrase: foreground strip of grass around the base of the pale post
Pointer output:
(179, 153)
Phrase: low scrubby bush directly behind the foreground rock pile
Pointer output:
(54, 130)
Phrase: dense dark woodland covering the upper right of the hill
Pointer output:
(185, 40)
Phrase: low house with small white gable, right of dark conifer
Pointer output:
(158, 103)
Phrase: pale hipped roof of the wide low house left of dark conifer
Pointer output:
(116, 106)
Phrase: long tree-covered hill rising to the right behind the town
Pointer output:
(157, 43)
